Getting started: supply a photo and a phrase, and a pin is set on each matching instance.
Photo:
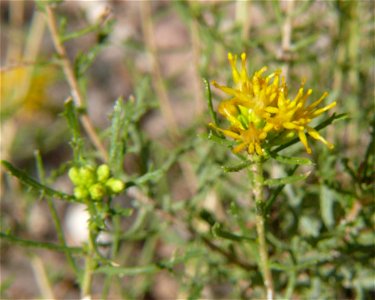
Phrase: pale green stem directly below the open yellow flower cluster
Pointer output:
(257, 190)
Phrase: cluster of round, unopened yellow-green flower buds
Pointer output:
(94, 183)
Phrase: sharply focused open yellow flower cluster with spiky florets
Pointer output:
(259, 110)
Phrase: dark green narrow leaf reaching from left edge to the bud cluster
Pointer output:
(27, 180)
